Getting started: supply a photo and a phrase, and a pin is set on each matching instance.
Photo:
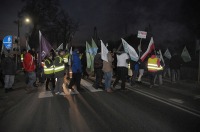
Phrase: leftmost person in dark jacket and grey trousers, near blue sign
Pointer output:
(9, 71)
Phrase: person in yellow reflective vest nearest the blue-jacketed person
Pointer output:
(59, 71)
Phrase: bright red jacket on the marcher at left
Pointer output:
(29, 63)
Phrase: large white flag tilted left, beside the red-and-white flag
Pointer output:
(130, 50)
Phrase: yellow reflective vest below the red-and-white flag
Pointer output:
(153, 66)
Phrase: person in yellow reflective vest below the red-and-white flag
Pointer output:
(153, 66)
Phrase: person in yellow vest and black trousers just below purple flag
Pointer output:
(49, 72)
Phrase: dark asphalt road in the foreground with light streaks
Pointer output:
(121, 111)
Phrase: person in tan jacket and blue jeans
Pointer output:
(108, 72)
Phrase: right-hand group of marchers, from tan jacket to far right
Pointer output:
(154, 67)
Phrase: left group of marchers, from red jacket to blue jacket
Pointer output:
(55, 67)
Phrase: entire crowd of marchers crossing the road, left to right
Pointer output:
(57, 65)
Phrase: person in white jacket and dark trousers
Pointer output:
(122, 69)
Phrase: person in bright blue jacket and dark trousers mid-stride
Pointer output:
(76, 70)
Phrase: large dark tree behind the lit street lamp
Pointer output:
(47, 16)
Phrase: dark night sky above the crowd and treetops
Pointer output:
(111, 17)
